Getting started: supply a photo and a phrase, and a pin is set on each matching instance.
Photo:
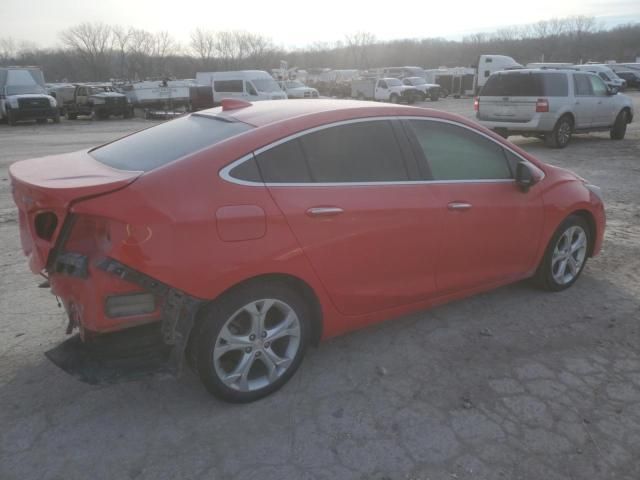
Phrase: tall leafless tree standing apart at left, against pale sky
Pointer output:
(93, 43)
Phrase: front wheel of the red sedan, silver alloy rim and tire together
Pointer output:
(566, 255)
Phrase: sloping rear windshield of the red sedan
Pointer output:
(157, 146)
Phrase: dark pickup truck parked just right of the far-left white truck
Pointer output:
(98, 101)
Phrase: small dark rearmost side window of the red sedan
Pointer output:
(284, 163)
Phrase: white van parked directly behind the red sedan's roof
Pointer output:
(250, 85)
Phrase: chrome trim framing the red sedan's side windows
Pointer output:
(225, 172)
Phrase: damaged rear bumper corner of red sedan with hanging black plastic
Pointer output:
(137, 345)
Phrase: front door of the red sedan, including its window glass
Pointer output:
(491, 228)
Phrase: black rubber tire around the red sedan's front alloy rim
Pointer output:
(544, 276)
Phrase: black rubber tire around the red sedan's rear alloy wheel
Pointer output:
(226, 308)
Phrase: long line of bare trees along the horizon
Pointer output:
(98, 52)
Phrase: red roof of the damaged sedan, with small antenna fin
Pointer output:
(273, 111)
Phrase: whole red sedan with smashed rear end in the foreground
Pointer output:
(249, 231)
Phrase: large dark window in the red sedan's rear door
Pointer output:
(356, 152)
